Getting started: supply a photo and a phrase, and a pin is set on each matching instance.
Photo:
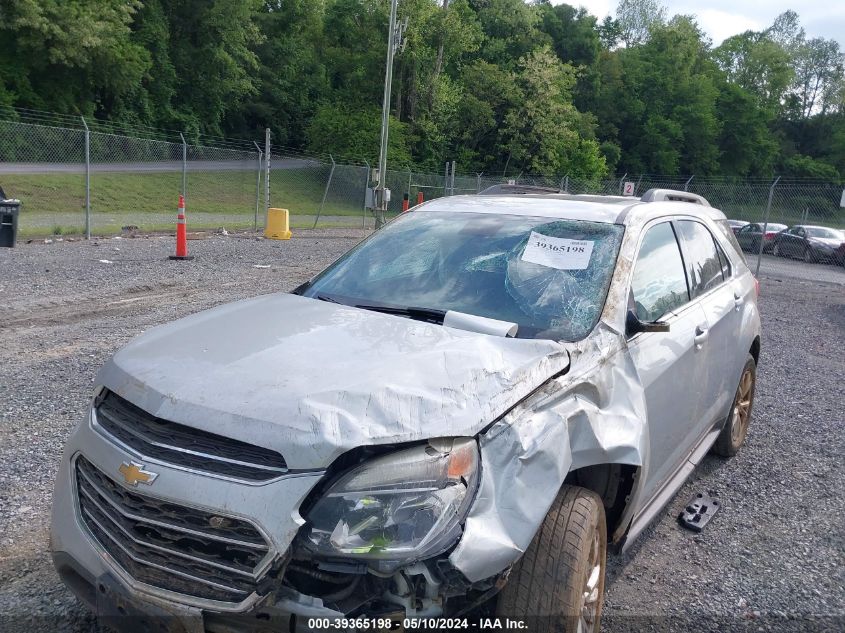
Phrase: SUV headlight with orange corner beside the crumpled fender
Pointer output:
(405, 505)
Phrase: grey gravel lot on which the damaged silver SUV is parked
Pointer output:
(773, 558)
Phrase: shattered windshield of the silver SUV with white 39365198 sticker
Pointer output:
(548, 276)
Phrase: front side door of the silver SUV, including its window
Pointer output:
(669, 363)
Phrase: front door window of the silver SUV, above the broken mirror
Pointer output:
(660, 284)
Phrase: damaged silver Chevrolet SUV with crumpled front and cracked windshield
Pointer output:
(459, 416)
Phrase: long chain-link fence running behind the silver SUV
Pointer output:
(76, 177)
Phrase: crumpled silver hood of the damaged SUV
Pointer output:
(313, 379)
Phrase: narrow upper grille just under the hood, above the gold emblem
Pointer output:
(185, 446)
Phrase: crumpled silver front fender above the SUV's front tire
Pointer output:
(592, 415)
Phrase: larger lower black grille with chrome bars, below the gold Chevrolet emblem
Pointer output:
(167, 545)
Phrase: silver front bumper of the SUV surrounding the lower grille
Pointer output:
(97, 577)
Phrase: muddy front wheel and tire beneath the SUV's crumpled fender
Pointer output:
(560, 578)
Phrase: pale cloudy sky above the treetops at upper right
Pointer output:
(722, 18)
